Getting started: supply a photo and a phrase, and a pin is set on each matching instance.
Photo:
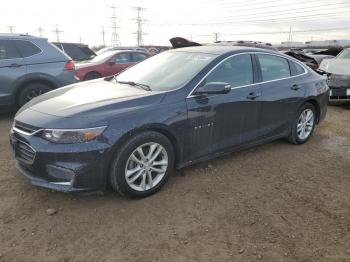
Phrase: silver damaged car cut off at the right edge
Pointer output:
(338, 72)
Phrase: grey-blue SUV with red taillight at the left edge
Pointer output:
(30, 66)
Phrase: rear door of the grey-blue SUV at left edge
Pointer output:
(12, 67)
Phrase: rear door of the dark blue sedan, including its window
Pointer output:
(282, 92)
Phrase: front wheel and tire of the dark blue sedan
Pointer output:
(137, 184)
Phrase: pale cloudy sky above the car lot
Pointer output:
(199, 20)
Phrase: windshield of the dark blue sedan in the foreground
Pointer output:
(166, 71)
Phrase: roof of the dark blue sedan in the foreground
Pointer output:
(220, 50)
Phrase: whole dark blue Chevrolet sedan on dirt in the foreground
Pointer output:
(174, 109)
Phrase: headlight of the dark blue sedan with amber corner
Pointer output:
(72, 136)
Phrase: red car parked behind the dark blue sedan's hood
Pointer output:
(108, 63)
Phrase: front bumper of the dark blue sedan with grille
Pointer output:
(67, 168)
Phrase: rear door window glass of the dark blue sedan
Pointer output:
(273, 67)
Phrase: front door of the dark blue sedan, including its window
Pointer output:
(220, 121)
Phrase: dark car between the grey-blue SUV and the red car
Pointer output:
(78, 52)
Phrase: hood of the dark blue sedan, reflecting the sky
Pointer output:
(97, 98)
